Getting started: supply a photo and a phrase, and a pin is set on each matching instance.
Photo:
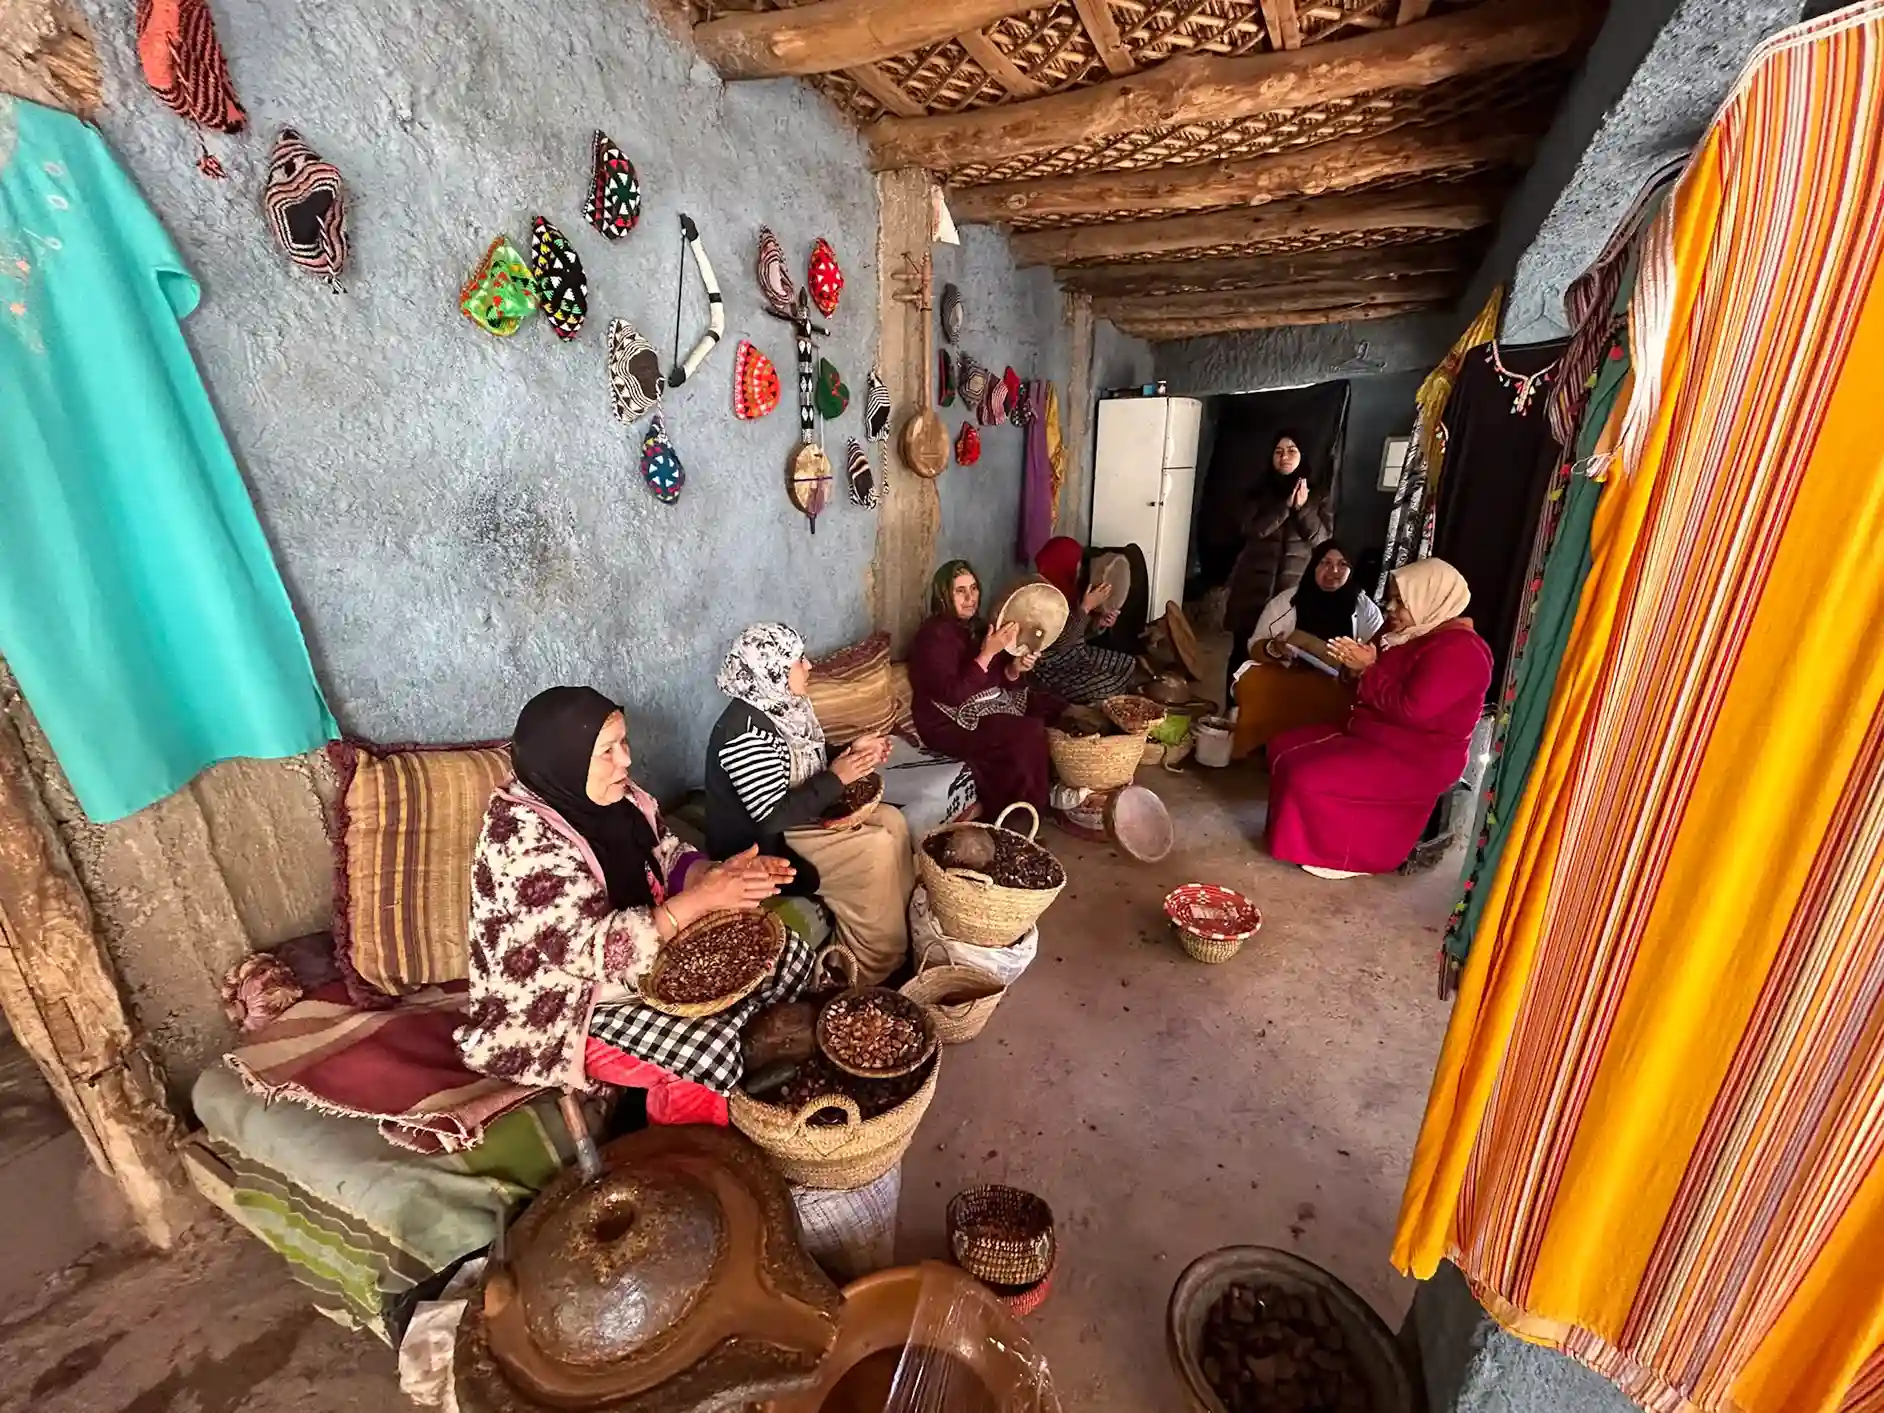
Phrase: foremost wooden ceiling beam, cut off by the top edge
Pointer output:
(830, 35)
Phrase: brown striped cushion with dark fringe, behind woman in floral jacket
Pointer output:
(408, 834)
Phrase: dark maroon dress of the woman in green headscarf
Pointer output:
(969, 711)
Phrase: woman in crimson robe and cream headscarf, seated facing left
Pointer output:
(1354, 800)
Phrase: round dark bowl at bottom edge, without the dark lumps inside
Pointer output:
(1372, 1350)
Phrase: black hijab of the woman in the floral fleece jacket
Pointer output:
(551, 751)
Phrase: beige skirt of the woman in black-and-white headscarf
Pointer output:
(866, 879)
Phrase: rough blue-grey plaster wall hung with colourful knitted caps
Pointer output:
(459, 517)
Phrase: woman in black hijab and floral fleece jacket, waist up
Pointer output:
(574, 888)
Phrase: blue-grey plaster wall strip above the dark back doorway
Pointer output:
(1297, 357)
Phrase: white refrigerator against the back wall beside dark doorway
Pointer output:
(1145, 479)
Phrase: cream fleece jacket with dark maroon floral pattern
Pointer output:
(544, 939)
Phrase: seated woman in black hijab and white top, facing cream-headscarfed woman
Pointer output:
(1282, 689)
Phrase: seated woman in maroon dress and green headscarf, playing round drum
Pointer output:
(969, 700)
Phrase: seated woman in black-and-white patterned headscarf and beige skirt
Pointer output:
(770, 781)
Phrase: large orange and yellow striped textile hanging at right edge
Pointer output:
(1657, 1126)
